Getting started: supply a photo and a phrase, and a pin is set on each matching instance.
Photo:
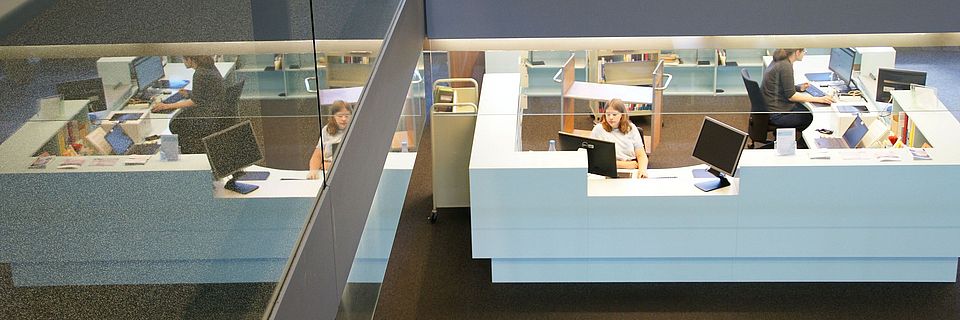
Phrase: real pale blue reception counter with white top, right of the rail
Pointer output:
(540, 217)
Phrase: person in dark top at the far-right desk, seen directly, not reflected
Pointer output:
(783, 97)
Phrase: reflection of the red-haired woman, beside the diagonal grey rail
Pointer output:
(330, 134)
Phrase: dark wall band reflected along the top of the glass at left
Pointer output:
(159, 21)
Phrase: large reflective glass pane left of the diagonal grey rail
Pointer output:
(169, 179)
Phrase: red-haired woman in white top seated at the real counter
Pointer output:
(616, 127)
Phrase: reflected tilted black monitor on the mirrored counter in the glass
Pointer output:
(230, 151)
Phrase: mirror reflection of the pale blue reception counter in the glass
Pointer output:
(109, 222)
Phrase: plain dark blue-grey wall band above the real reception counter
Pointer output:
(581, 18)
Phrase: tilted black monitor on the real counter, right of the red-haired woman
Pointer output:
(720, 146)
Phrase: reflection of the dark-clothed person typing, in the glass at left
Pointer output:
(208, 89)
